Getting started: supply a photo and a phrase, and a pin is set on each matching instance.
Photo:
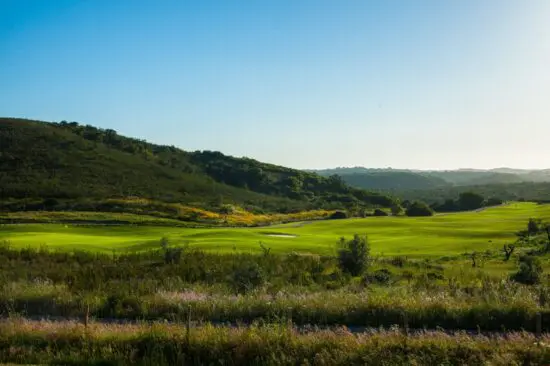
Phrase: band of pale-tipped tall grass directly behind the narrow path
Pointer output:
(504, 307)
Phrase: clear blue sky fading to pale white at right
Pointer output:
(302, 83)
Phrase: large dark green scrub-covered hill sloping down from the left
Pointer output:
(70, 161)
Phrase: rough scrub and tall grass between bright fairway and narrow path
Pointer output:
(171, 282)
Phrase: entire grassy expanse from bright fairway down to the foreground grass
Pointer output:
(149, 292)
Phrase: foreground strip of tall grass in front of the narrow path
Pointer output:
(161, 344)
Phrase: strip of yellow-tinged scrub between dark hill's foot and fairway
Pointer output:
(147, 212)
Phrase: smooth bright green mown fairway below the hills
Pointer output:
(436, 236)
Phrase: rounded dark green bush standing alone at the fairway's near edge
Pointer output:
(353, 255)
